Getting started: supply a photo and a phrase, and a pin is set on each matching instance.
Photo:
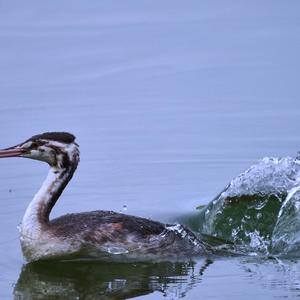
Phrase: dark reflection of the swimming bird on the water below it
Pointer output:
(95, 280)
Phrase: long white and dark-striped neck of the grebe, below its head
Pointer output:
(37, 214)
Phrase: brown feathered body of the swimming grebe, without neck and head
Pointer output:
(106, 235)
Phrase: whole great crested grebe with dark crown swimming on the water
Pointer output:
(103, 235)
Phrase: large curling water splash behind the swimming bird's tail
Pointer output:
(259, 208)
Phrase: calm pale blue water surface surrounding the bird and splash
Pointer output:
(168, 102)
